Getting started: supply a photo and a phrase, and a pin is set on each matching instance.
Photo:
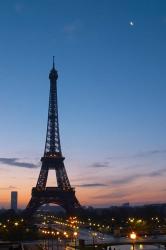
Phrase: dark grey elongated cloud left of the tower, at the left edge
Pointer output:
(15, 162)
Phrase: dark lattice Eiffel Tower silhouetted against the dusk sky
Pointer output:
(63, 194)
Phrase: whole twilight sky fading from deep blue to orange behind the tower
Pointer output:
(111, 60)
